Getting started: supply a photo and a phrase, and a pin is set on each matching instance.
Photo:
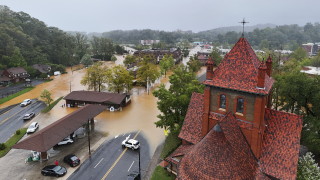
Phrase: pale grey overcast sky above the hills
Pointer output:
(169, 15)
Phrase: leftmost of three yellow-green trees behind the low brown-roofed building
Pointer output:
(95, 77)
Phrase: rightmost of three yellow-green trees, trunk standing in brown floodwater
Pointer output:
(147, 73)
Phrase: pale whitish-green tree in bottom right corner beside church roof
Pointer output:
(308, 168)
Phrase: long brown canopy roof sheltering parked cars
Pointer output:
(49, 136)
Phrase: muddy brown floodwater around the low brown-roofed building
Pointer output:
(139, 115)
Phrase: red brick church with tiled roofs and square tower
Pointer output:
(230, 131)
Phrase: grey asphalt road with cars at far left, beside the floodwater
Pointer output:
(12, 120)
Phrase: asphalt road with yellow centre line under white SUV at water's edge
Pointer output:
(112, 162)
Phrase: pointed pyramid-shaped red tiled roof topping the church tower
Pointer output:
(239, 70)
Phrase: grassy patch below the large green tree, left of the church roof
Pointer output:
(171, 143)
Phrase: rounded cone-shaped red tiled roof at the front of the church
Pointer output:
(220, 155)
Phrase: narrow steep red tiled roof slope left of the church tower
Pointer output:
(191, 129)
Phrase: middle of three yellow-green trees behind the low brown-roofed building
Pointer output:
(119, 79)
